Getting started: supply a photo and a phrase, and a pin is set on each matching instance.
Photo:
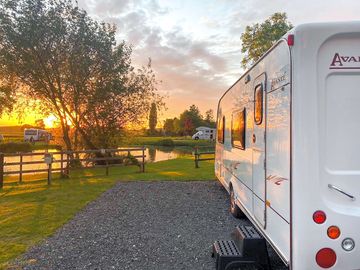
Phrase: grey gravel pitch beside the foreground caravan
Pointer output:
(142, 225)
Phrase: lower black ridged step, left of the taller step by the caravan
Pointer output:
(227, 256)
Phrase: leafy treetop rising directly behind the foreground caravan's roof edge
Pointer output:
(258, 38)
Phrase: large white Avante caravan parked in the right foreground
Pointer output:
(288, 146)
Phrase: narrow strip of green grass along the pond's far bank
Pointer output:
(178, 141)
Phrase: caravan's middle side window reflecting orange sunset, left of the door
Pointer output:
(238, 129)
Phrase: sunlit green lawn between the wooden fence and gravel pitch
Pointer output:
(31, 211)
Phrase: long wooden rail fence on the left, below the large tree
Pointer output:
(105, 158)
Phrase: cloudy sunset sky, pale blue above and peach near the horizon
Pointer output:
(195, 45)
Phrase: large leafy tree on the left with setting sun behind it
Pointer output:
(56, 53)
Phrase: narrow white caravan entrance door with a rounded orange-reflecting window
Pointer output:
(258, 146)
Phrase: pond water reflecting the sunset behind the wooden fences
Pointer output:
(153, 154)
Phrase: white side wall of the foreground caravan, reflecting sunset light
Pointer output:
(235, 166)
